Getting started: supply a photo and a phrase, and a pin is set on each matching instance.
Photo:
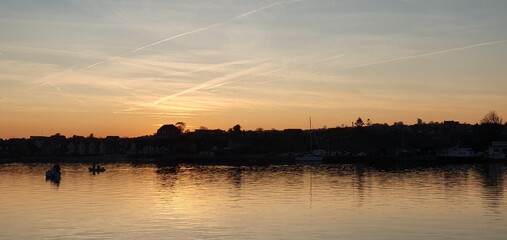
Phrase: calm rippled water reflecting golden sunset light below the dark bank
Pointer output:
(276, 202)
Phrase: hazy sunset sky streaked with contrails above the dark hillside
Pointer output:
(124, 68)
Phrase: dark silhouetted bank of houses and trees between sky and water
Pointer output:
(362, 141)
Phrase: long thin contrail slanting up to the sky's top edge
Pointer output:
(190, 32)
